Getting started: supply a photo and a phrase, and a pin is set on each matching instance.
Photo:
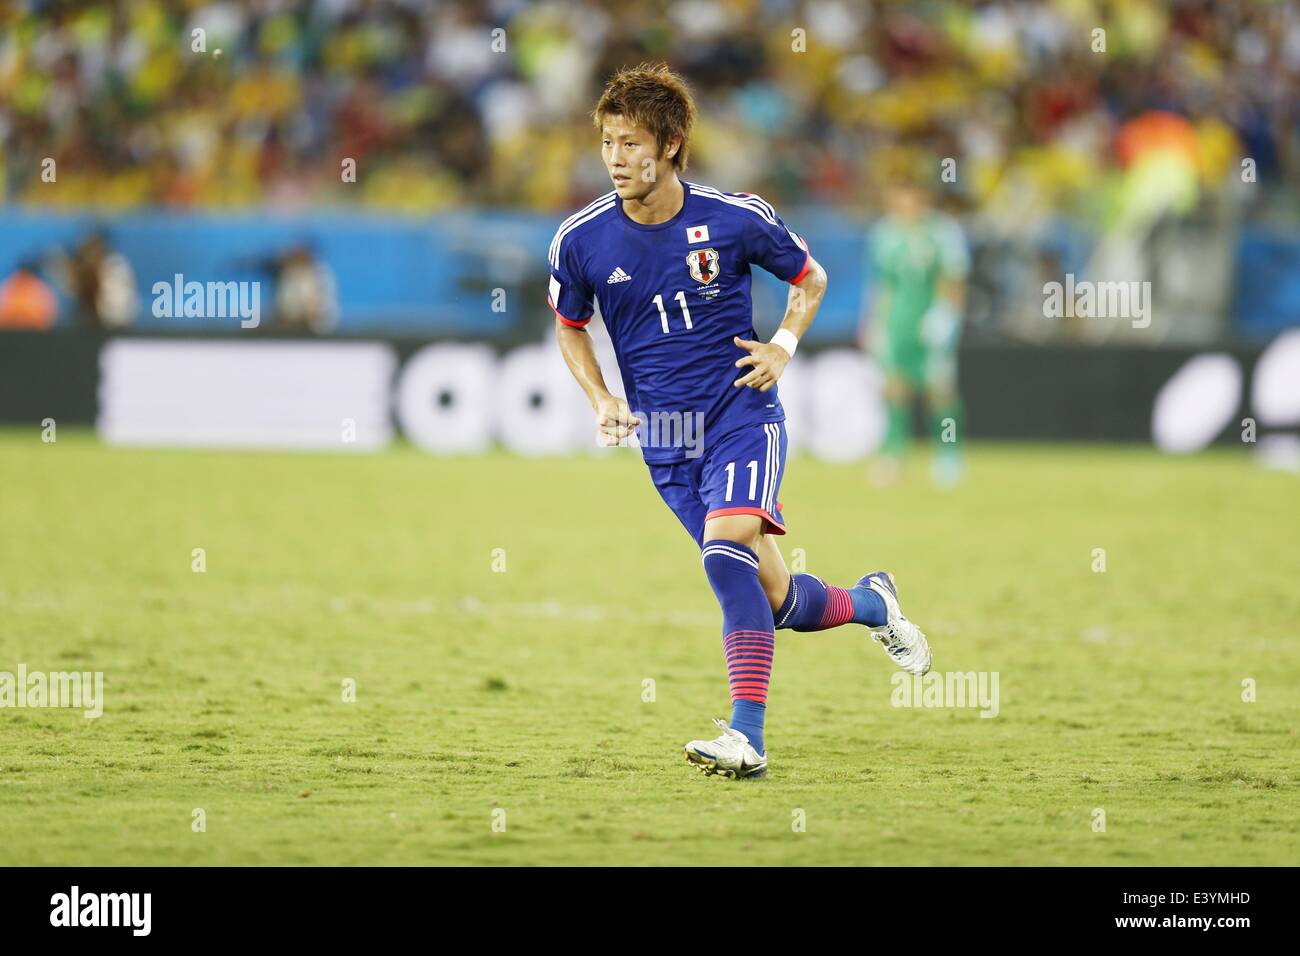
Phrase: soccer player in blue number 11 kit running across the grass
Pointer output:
(669, 262)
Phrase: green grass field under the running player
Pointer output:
(522, 691)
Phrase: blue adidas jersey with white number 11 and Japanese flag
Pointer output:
(673, 296)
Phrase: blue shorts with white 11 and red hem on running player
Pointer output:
(740, 475)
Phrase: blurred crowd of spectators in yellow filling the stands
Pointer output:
(1046, 105)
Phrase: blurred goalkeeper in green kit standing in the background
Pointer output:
(918, 259)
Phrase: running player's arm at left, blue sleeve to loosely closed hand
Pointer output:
(571, 299)
